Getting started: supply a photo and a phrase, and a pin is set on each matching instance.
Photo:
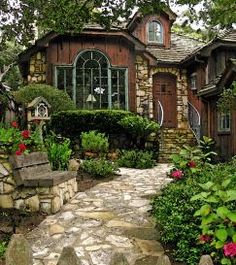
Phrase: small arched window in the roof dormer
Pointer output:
(155, 32)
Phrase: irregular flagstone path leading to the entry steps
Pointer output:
(111, 217)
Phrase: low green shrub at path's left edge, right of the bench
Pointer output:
(99, 168)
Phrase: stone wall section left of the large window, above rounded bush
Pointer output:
(37, 68)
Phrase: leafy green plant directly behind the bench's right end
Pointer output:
(59, 151)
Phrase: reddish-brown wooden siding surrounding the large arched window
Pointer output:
(120, 53)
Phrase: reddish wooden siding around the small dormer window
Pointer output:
(140, 31)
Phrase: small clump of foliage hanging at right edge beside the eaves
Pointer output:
(227, 100)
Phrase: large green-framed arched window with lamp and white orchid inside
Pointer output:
(95, 83)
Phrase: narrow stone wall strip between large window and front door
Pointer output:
(144, 95)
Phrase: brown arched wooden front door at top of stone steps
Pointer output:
(164, 95)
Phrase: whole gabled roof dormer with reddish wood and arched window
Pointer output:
(153, 30)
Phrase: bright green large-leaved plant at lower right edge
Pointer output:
(218, 213)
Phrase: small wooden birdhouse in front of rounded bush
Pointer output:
(38, 109)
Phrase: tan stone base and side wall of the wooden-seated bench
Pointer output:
(45, 199)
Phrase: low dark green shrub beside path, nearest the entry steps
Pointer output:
(136, 159)
